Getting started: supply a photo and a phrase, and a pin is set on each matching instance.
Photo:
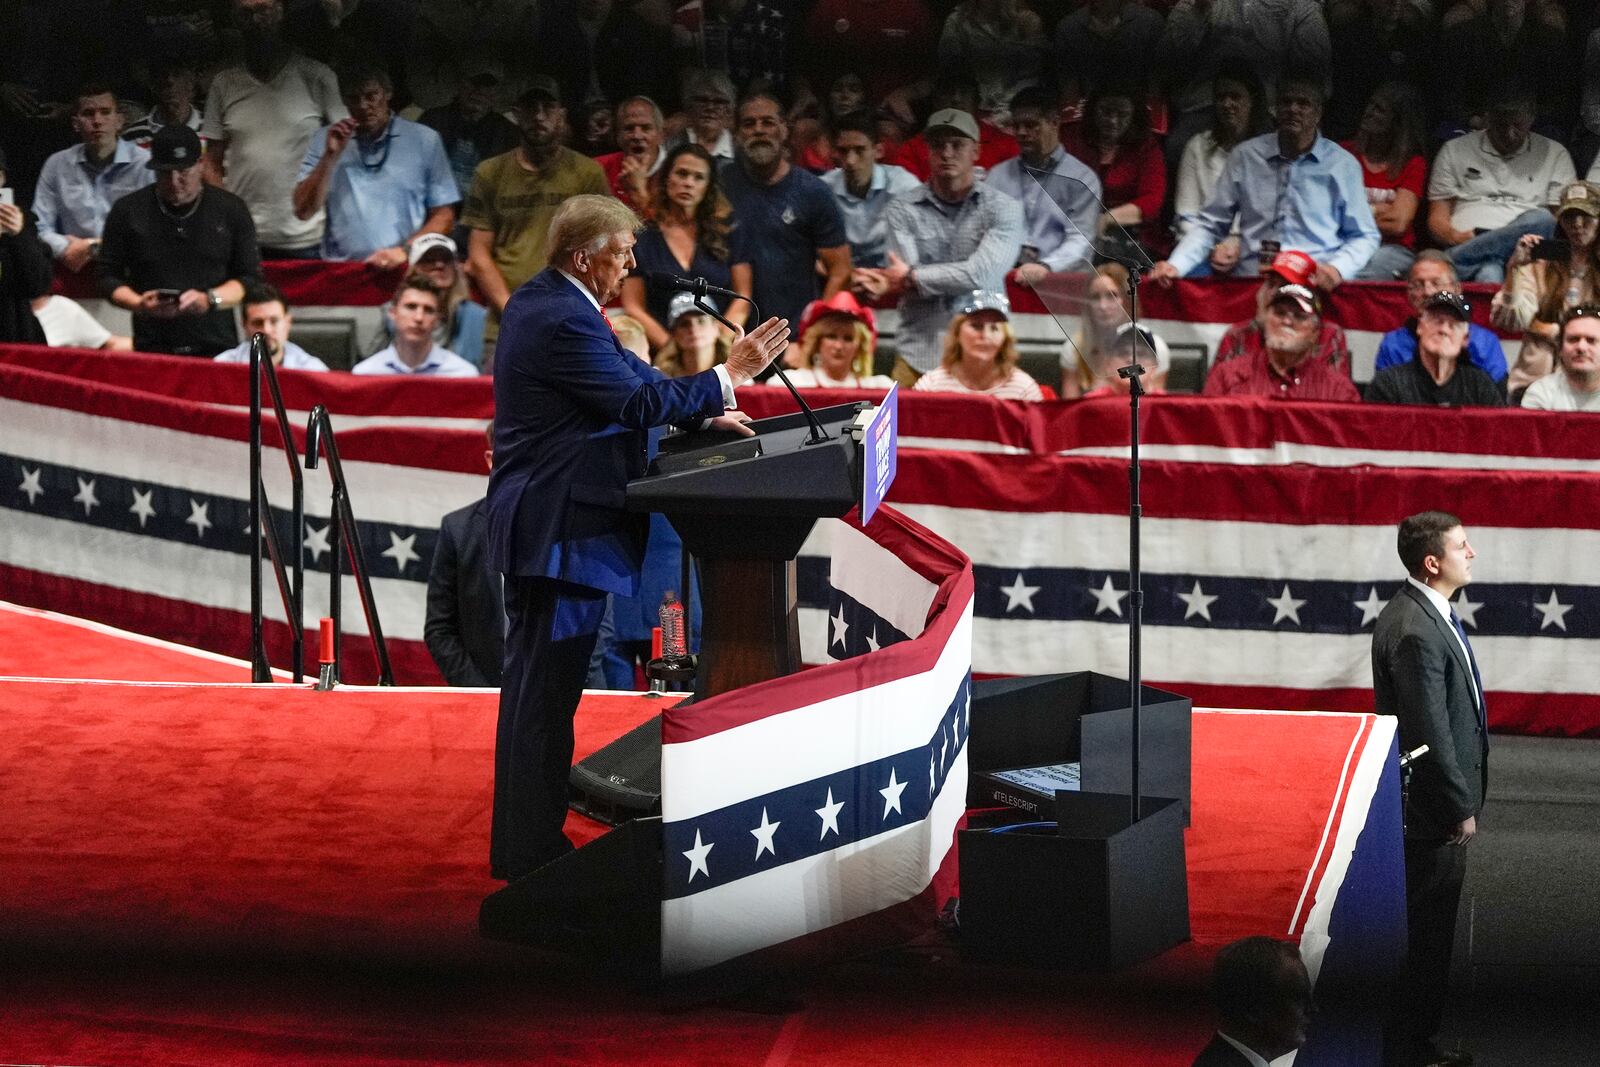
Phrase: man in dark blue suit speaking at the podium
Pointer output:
(572, 412)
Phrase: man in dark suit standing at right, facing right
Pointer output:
(1426, 676)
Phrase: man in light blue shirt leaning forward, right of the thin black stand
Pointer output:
(1290, 190)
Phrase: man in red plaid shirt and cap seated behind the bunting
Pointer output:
(1282, 359)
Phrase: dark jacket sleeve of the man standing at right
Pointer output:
(1418, 673)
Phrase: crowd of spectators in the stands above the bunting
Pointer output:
(820, 158)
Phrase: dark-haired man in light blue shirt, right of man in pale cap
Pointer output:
(1060, 196)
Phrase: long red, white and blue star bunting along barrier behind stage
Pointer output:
(1268, 535)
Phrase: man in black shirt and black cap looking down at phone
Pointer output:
(180, 254)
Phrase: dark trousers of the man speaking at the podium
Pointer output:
(534, 743)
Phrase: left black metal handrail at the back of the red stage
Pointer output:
(292, 593)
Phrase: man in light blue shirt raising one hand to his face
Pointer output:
(385, 180)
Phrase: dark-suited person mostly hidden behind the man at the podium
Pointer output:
(465, 626)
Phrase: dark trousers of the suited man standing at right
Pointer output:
(1433, 897)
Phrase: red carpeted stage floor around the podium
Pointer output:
(238, 874)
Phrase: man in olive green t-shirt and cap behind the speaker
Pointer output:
(516, 194)
